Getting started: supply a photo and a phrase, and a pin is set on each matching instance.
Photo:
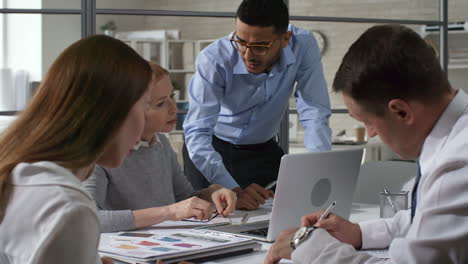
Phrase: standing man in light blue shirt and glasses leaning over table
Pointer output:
(239, 94)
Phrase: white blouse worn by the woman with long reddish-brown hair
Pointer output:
(50, 218)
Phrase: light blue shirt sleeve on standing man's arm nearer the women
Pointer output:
(205, 93)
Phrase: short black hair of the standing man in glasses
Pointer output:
(264, 13)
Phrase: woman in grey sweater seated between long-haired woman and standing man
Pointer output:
(150, 186)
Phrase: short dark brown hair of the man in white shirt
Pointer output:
(390, 62)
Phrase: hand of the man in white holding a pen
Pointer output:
(338, 227)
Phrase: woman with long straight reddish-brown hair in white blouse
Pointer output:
(89, 109)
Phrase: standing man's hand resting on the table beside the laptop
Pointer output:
(252, 196)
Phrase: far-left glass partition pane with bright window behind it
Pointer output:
(29, 45)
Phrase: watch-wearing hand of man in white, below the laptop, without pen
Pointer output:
(281, 249)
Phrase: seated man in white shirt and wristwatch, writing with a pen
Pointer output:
(391, 81)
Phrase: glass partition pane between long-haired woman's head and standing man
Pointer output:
(173, 42)
